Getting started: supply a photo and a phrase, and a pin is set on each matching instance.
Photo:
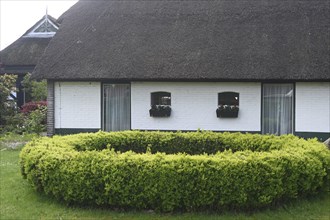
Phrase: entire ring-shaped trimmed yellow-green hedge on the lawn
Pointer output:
(168, 171)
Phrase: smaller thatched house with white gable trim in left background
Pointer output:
(21, 57)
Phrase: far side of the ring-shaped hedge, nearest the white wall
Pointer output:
(182, 142)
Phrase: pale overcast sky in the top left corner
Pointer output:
(17, 16)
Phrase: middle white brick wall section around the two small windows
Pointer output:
(194, 106)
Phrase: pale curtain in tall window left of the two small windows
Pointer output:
(116, 113)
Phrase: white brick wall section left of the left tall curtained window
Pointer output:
(78, 105)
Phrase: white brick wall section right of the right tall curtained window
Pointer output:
(313, 107)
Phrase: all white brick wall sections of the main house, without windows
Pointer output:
(78, 105)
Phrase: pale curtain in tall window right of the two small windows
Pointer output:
(277, 109)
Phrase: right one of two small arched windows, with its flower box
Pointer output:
(228, 105)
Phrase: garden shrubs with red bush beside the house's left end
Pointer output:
(32, 117)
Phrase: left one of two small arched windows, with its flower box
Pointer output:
(160, 104)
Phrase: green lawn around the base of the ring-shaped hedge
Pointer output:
(18, 200)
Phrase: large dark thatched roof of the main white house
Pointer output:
(239, 40)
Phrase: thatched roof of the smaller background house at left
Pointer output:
(26, 51)
